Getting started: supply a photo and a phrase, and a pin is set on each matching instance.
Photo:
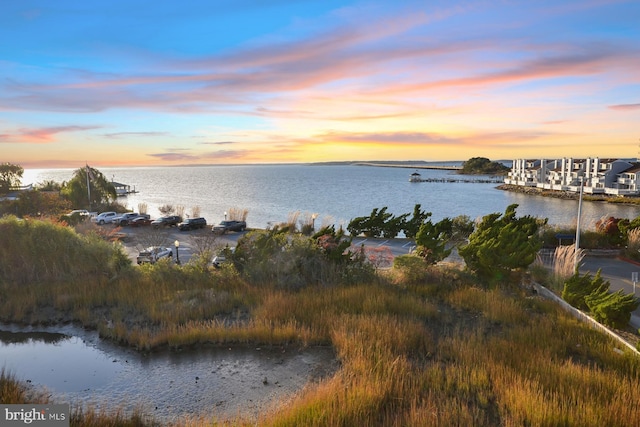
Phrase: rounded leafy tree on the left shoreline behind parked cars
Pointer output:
(75, 190)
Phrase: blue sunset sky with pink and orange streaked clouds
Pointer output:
(117, 83)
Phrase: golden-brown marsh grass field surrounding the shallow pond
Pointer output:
(417, 346)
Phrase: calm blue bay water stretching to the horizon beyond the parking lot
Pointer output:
(271, 193)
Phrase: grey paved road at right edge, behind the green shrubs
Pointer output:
(619, 274)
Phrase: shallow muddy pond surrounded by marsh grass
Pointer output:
(83, 370)
